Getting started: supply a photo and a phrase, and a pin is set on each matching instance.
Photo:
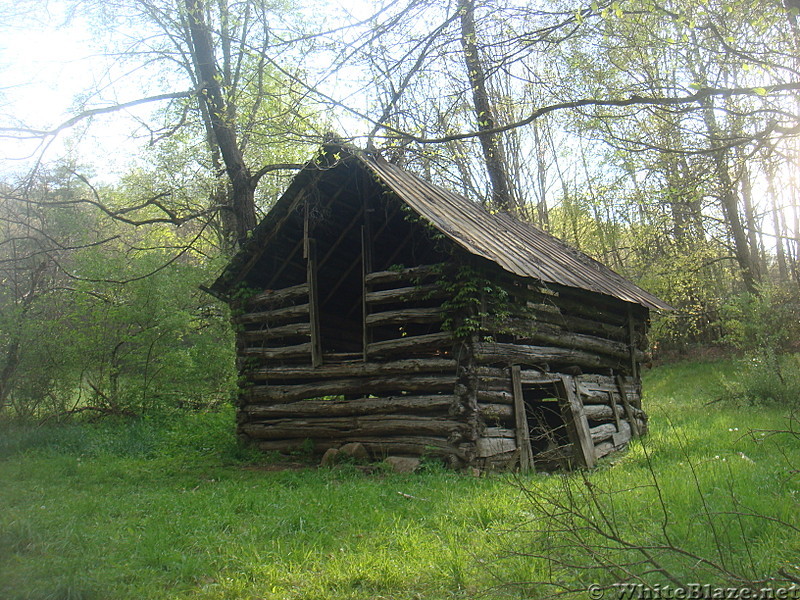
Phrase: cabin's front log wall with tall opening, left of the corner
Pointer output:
(389, 403)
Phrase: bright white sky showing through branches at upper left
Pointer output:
(47, 60)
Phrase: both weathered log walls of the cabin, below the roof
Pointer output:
(418, 390)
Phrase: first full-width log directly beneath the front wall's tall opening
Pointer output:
(356, 368)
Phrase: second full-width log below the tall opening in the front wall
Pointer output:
(354, 385)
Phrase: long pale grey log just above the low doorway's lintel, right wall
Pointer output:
(492, 352)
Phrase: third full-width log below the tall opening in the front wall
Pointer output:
(360, 406)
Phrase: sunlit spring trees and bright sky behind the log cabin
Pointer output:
(659, 137)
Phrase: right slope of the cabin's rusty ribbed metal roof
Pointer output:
(517, 247)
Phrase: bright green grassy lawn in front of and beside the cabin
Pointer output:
(175, 509)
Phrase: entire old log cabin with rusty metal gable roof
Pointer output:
(372, 306)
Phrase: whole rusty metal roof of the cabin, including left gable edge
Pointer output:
(517, 247)
